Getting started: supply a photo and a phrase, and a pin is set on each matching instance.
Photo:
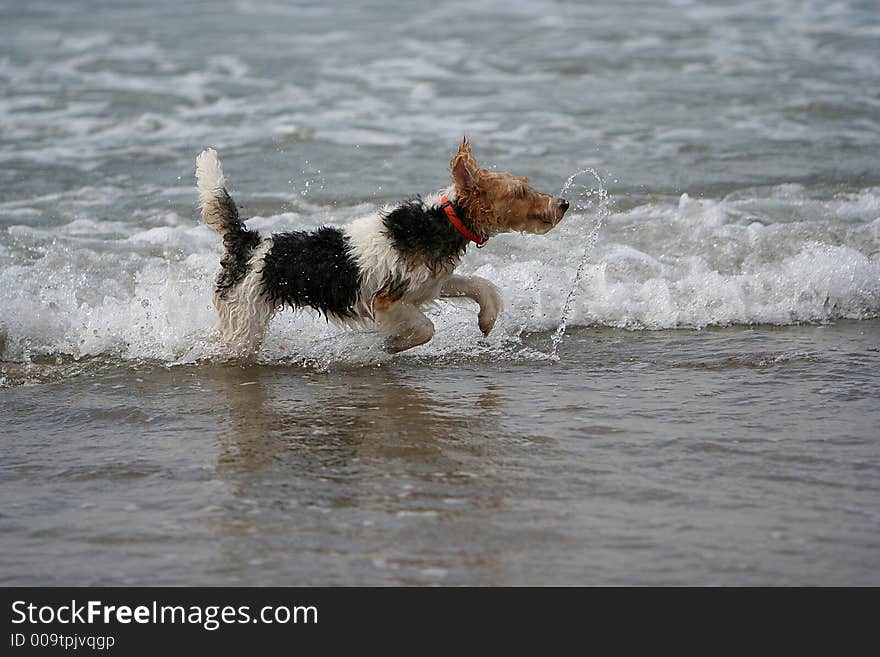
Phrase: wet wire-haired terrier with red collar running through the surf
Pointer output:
(381, 269)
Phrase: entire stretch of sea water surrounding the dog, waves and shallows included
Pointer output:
(711, 416)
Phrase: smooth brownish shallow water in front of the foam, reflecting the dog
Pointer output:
(723, 456)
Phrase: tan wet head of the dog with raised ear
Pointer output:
(501, 202)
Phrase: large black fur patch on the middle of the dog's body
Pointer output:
(312, 269)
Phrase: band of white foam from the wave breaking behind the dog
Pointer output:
(146, 294)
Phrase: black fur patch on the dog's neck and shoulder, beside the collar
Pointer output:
(425, 234)
